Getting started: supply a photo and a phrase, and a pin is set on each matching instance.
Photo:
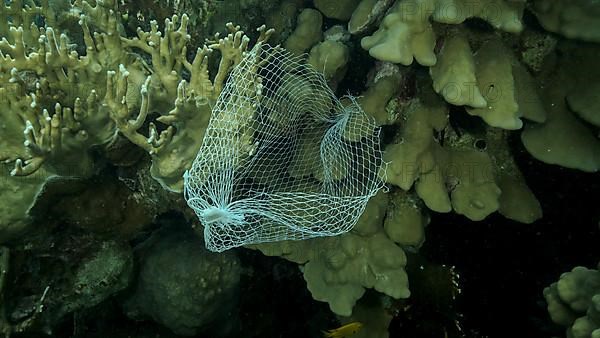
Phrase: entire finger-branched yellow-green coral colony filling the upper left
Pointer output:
(61, 100)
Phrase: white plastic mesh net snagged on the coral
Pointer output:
(282, 158)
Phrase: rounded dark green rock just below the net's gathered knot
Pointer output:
(183, 286)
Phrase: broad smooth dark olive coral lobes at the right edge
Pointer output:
(562, 138)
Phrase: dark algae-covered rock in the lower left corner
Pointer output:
(65, 274)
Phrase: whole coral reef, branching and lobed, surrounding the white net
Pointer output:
(105, 103)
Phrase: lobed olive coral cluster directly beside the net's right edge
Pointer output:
(448, 172)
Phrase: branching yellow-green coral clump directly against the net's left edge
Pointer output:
(174, 148)
